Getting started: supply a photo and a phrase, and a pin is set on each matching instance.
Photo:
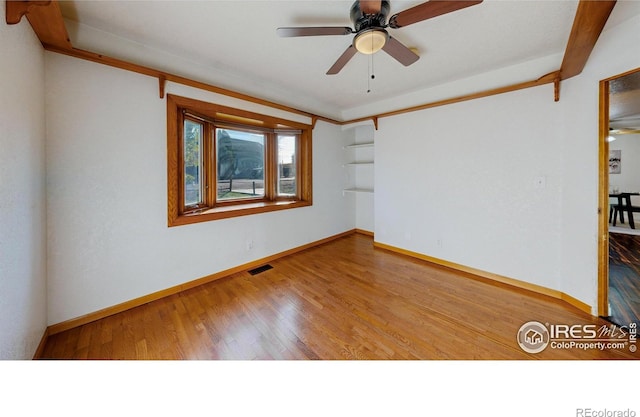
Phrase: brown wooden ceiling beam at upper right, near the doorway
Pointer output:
(590, 19)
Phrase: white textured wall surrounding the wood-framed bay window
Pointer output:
(107, 199)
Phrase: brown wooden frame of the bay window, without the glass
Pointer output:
(215, 115)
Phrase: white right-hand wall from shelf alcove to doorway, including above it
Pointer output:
(459, 182)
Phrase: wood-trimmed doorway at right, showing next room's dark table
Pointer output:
(619, 246)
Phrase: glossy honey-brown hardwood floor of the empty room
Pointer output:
(340, 300)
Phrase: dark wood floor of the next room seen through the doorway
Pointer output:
(624, 278)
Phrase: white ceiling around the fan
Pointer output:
(233, 44)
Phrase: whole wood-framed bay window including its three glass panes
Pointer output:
(225, 162)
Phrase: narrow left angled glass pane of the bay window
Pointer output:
(192, 163)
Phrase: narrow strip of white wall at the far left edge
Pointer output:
(22, 191)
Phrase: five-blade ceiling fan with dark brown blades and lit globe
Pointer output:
(369, 19)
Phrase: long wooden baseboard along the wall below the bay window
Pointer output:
(118, 308)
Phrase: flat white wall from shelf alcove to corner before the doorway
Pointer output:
(459, 183)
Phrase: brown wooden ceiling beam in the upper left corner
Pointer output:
(45, 18)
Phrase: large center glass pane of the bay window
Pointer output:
(240, 164)
